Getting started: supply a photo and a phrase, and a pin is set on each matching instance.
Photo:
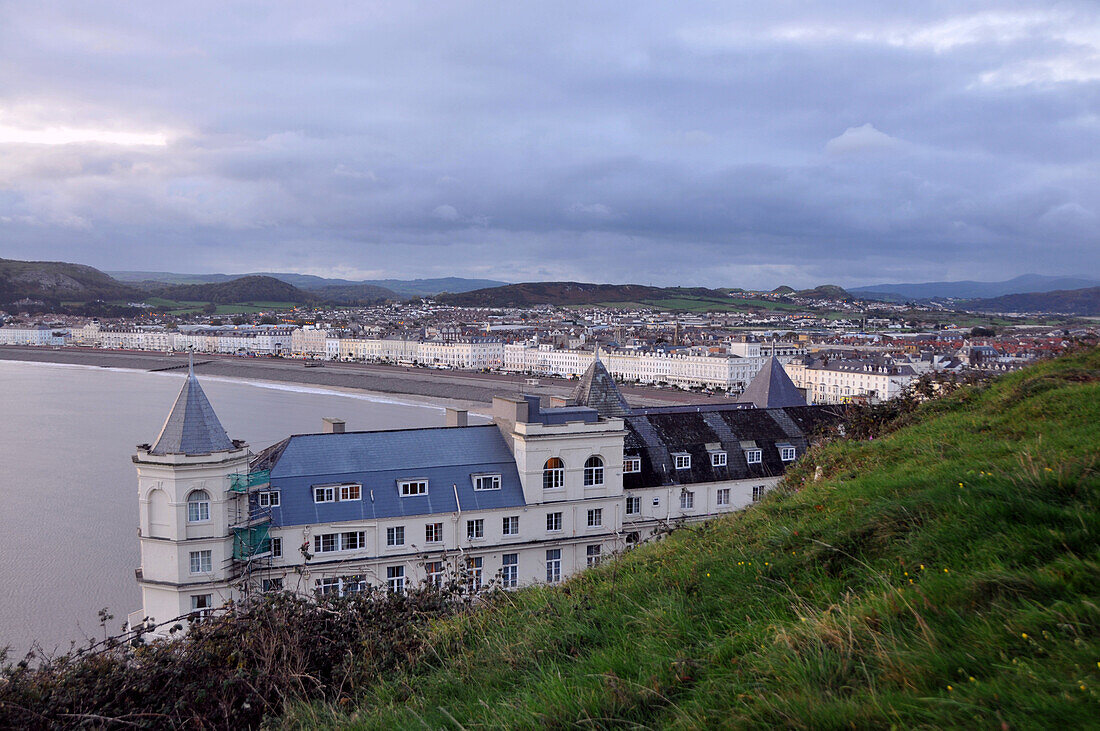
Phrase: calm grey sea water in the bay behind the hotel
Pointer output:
(69, 490)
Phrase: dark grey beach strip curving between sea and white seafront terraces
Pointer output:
(472, 391)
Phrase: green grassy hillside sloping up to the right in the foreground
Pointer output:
(944, 577)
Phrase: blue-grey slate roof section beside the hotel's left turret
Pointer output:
(447, 458)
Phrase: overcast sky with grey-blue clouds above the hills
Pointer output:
(725, 145)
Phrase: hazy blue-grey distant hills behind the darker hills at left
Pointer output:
(338, 289)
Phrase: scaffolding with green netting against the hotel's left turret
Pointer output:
(250, 525)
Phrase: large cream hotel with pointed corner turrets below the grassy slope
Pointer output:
(535, 496)
